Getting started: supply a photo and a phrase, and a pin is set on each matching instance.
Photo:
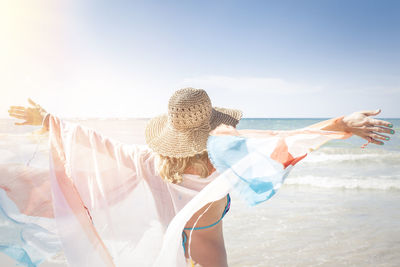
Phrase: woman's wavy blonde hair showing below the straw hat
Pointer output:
(172, 169)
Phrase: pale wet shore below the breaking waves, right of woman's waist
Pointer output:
(304, 226)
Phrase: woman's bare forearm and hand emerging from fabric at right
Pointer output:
(361, 124)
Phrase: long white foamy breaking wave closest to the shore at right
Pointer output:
(393, 183)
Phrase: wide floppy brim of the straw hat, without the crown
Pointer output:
(165, 140)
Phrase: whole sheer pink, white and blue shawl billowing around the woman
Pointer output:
(102, 203)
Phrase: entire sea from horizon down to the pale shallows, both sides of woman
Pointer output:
(340, 206)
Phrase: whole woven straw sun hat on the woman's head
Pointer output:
(184, 130)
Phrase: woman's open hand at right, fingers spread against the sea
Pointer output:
(359, 123)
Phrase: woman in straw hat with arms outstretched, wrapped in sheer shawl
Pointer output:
(179, 178)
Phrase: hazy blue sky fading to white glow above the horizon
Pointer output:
(268, 58)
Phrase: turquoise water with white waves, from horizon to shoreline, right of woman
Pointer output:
(342, 163)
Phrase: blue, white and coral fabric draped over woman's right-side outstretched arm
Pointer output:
(257, 162)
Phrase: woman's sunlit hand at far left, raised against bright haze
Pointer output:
(32, 115)
